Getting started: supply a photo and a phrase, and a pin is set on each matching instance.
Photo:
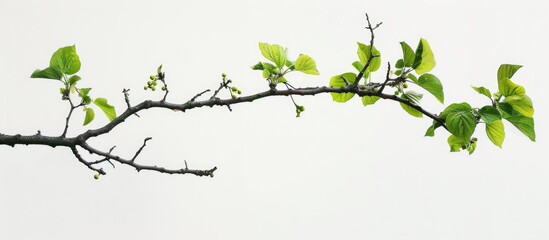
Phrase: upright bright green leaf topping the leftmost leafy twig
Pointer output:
(66, 60)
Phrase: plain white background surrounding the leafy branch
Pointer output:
(341, 171)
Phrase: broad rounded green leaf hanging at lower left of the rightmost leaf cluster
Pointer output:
(460, 120)
